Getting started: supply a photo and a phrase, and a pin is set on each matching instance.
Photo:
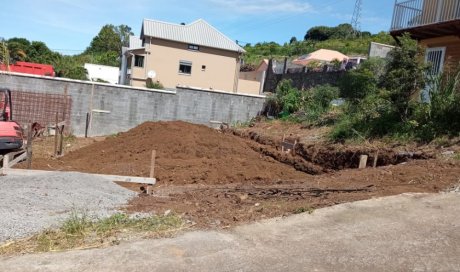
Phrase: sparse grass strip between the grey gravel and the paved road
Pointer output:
(81, 232)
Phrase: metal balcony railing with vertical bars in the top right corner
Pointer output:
(414, 13)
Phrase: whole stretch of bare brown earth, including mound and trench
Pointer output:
(218, 179)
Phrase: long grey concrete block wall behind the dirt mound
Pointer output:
(119, 108)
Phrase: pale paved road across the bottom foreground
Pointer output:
(401, 233)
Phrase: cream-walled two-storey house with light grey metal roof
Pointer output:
(194, 55)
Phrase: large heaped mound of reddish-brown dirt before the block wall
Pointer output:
(186, 153)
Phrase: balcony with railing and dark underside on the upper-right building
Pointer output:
(426, 18)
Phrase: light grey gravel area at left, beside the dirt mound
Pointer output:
(30, 204)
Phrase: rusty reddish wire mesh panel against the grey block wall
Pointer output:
(31, 107)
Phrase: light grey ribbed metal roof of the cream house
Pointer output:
(198, 33)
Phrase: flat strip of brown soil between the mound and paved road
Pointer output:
(222, 206)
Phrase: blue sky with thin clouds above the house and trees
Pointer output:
(68, 26)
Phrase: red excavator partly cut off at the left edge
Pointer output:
(11, 134)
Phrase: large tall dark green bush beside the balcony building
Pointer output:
(381, 98)
